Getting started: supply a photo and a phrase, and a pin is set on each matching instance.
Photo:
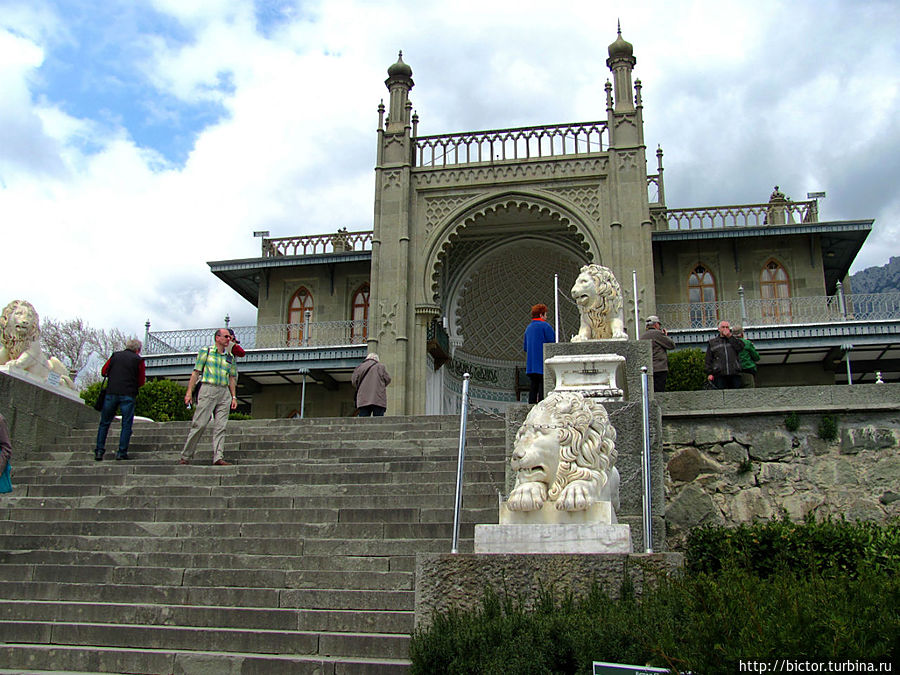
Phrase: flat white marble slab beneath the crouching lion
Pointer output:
(558, 538)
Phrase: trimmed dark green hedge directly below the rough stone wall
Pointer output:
(830, 547)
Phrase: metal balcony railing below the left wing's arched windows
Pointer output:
(313, 334)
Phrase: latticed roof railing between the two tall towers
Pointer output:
(558, 140)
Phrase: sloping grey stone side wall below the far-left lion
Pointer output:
(38, 415)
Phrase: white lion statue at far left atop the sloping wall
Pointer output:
(20, 343)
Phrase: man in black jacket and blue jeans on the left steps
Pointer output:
(126, 373)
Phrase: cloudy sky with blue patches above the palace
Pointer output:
(140, 139)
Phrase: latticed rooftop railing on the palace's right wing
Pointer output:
(746, 215)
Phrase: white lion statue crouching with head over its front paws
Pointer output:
(565, 452)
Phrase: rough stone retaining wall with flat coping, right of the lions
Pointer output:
(730, 459)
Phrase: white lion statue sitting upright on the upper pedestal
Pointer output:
(599, 300)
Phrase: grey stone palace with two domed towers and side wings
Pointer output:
(473, 228)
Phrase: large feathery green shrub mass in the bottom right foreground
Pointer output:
(701, 623)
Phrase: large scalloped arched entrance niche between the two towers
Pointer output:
(491, 272)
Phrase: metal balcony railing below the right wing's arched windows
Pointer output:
(781, 311)
